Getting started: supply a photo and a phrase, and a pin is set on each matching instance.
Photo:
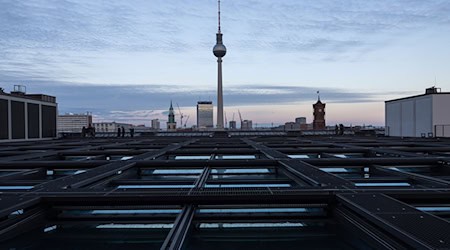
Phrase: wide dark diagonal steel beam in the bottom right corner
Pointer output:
(403, 221)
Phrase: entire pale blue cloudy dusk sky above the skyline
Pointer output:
(125, 61)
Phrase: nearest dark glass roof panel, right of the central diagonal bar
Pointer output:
(274, 234)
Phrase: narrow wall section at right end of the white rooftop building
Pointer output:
(441, 115)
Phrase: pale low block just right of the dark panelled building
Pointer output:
(73, 123)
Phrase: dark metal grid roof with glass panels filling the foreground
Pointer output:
(223, 192)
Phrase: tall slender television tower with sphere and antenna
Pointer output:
(219, 51)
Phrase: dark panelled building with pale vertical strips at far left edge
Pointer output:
(27, 116)
